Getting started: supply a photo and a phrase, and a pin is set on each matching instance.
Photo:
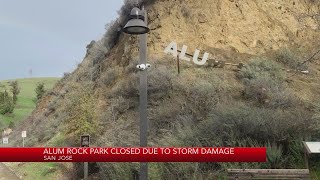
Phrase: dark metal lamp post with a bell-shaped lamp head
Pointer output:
(137, 25)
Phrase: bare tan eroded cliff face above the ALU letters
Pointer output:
(250, 26)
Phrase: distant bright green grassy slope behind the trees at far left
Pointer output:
(25, 104)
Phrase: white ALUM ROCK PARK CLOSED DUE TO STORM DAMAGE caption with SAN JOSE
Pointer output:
(66, 154)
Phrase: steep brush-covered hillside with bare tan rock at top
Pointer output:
(202, 106)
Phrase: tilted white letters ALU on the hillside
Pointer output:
(173, 49)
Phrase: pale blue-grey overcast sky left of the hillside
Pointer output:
(49, 37)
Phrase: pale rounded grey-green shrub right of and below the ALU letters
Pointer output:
(264, 84)
